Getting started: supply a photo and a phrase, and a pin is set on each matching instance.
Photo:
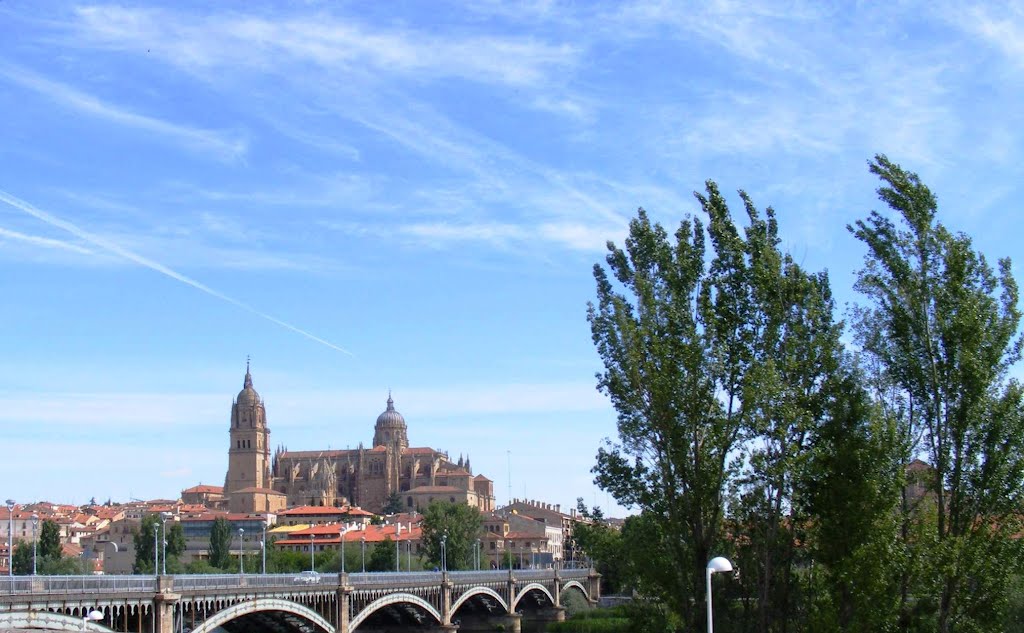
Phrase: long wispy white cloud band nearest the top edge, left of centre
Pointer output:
(325, 41)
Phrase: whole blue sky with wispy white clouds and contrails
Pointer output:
(412, 196)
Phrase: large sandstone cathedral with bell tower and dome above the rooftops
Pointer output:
(364, 477)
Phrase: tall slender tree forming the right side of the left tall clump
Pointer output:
(794, 351)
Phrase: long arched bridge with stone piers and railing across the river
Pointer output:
(338, 604)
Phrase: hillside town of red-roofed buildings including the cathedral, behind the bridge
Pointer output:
(307, 501)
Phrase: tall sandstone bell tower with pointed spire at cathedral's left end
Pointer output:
(249, 456)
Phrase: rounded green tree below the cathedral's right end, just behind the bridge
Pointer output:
(460, 525)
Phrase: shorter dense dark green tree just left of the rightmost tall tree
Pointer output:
(852, 496)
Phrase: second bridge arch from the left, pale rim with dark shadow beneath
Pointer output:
(267, 615)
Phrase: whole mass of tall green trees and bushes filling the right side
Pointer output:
(862, 477)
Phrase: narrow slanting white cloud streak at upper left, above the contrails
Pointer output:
(192, 138)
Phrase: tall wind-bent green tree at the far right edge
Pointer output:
(944, 324)
